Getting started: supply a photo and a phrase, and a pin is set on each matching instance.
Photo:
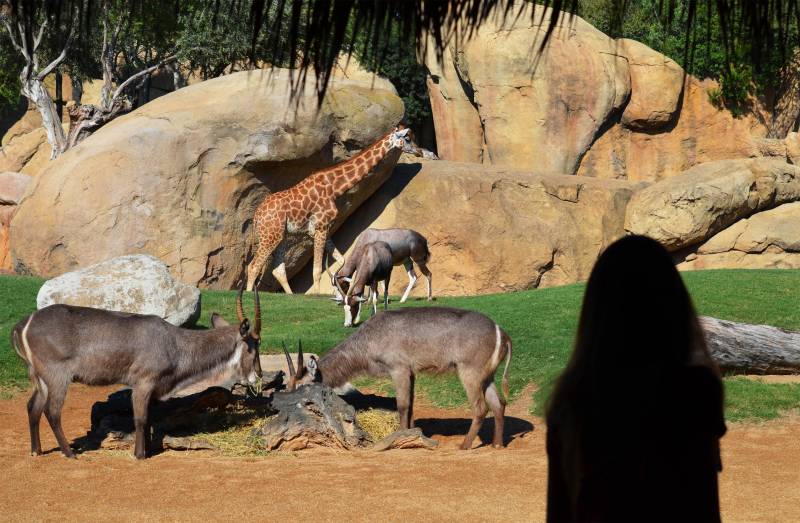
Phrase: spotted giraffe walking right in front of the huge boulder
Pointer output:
(310, 207)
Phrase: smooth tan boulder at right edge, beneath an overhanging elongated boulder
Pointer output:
(767, 240)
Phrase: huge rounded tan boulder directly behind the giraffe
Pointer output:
(180, 177)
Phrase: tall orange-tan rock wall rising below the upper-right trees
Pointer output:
(589, 105)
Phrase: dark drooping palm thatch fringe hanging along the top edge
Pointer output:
(319, 30)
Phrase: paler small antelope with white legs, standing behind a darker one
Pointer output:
(408, 247)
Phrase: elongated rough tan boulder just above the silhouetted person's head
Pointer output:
(684, 210)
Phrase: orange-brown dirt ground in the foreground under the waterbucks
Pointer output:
(760, 481)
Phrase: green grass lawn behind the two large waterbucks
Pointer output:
(541, 324)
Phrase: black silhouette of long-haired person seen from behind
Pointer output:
(634, 421)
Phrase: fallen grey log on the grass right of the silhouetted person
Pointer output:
(752, 349)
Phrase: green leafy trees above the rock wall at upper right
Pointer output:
(743, 65)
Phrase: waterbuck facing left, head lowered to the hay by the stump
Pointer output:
(402, 343)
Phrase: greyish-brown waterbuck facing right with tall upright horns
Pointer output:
(62, 344)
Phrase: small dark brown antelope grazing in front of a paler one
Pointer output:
(374, 265)
